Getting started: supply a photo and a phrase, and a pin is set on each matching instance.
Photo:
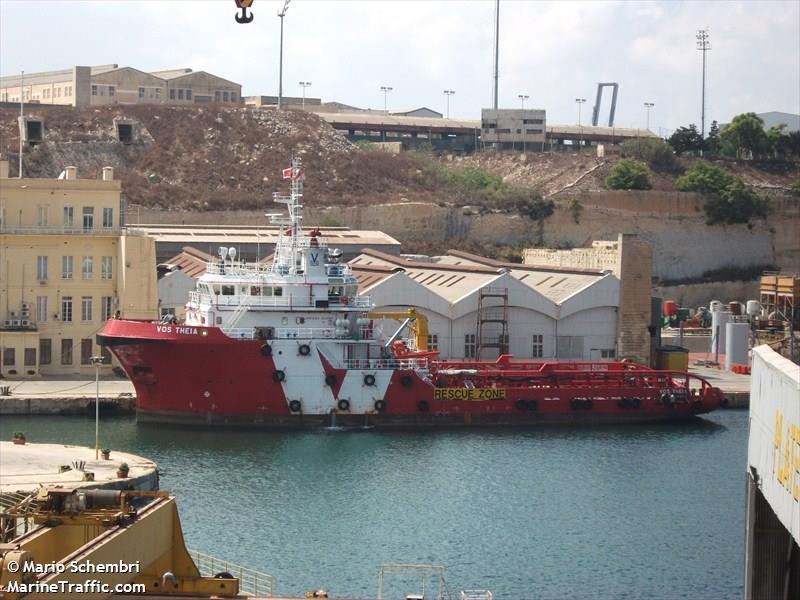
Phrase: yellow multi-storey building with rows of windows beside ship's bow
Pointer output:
(67, 264)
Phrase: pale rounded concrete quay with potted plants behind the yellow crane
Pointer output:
(25, 468)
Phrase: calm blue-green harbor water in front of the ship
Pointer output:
(653, 511)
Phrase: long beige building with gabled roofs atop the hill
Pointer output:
(111, 84)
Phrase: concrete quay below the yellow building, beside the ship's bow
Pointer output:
(65, 396)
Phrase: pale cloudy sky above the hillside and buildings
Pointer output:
(553, 52)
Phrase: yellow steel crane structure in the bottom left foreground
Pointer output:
(68, 533)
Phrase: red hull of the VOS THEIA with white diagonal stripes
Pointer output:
(196, 375)
